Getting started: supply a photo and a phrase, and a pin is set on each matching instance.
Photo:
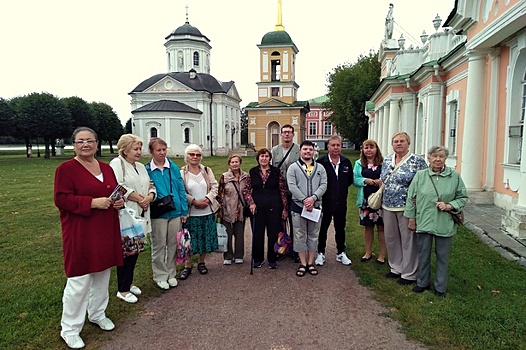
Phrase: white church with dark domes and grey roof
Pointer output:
(187, 104)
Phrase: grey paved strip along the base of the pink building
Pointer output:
(485, 222)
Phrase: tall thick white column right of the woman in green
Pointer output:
(472, 141)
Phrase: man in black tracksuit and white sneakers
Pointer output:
(339, 178)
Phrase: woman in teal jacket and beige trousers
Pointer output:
(167, 180)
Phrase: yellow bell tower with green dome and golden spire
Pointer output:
(277, 103)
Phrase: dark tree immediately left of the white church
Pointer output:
(109, 127)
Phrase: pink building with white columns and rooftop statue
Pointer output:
(464, 88)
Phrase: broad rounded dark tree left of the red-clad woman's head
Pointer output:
(43, 115)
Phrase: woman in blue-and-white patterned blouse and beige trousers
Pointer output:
(398, 171)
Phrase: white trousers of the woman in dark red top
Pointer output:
(84, 293)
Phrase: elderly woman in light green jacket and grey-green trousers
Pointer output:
(434, 194)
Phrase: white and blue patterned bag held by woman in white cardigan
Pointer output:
(132, 232)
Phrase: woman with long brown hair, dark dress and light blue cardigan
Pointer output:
(367, 178)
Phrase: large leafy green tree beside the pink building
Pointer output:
(350, 87)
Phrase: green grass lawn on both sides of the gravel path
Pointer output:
(483, 309)
